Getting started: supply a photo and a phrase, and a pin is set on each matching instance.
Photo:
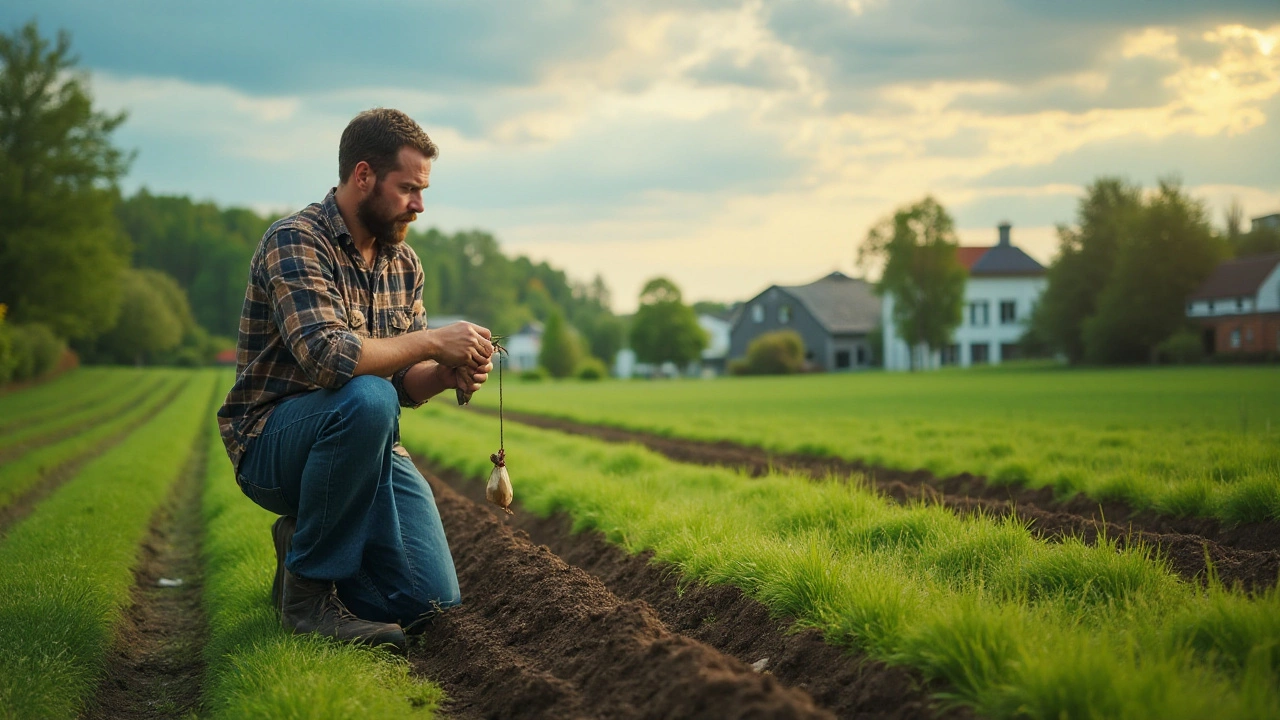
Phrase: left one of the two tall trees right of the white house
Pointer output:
(1107, 217)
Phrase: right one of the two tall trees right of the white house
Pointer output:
(1168, 256)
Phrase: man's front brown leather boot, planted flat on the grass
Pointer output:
(313, 607)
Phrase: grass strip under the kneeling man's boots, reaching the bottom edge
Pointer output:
(257, 669)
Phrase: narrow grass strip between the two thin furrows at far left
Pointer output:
(21, 475)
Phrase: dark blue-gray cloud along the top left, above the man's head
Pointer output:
(294, 48)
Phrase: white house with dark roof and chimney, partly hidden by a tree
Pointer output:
(1004, 286)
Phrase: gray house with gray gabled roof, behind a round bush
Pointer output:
(834, 317)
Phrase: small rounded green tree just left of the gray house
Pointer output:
(665, 330)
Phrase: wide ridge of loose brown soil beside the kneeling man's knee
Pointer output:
(540, 639)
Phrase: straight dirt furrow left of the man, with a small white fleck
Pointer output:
(157, 664)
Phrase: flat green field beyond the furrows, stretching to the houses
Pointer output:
(1183, 441)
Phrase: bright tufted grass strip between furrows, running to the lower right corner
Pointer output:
(1020, 628)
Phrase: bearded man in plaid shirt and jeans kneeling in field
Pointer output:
(333, 341)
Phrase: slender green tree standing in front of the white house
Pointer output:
(922, 274)
